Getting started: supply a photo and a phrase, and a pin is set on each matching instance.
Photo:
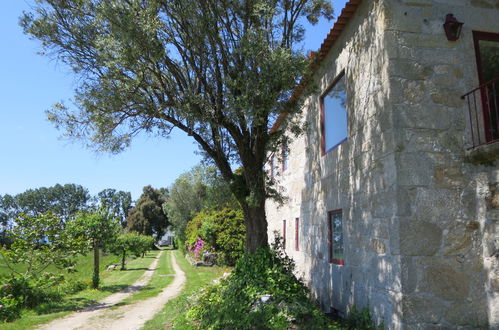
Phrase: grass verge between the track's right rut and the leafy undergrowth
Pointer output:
(173, 314)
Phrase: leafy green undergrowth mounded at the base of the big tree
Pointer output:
(261, 293)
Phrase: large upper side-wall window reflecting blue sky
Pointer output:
(334, 115)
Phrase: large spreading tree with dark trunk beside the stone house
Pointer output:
(221, 71)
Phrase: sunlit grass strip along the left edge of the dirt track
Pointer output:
(111, 282)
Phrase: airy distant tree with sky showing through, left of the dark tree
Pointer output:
(116, 204)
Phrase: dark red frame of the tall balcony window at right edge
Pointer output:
(487, 36)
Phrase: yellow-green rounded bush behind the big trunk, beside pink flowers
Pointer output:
(223, 229)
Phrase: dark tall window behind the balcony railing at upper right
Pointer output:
(487, 57)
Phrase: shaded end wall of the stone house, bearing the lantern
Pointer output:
(444, 222)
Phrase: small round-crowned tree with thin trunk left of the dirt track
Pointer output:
(96, 230)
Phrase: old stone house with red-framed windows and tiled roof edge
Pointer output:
(393, 192)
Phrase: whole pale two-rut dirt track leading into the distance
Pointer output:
(132, 316)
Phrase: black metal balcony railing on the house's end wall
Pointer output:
(483, 112)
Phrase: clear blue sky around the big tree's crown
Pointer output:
(33, 155)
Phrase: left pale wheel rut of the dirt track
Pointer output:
(79, 319)
